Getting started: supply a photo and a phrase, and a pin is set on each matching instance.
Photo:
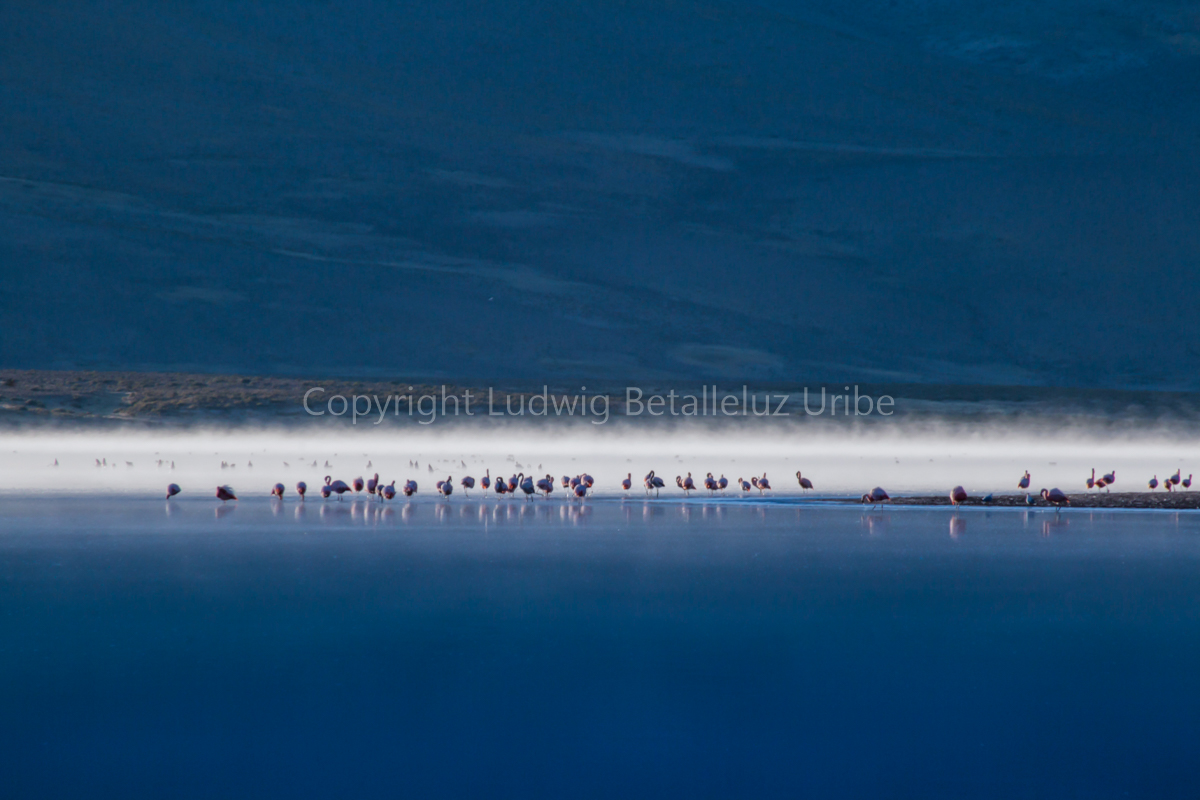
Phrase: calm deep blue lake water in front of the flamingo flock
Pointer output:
(622, 649)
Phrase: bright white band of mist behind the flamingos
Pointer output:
(926, 456)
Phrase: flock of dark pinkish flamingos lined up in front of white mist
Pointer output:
(580, 488)
